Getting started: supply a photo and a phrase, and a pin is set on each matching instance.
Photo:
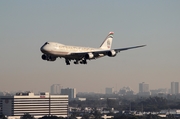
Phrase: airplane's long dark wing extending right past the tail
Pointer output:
(104, 52)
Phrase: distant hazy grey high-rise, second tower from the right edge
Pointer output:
(144, 89)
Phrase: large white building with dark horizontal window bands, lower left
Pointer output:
(36, 105)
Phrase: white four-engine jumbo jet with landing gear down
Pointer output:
(52, 50)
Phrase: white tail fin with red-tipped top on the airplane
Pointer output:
(107, 42)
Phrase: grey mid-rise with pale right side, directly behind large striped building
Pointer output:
(71, 92)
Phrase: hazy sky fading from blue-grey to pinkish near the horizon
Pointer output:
(26, 25)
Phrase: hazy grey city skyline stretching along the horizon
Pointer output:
(142, 88)
